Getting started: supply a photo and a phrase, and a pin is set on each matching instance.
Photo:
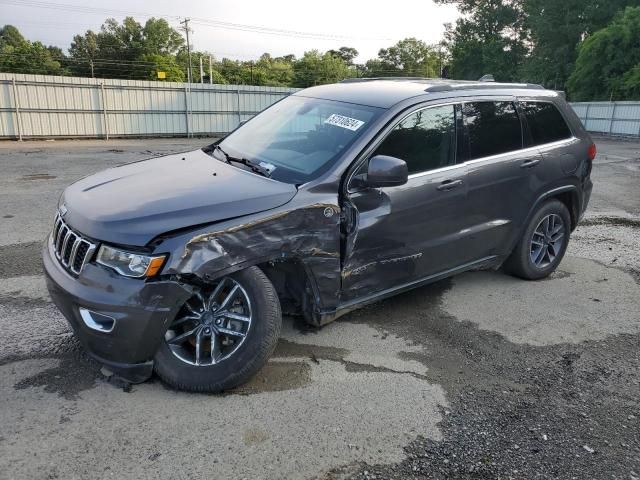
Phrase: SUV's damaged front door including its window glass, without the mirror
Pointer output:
(398, 235)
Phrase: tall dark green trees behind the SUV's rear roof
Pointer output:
(530, 40)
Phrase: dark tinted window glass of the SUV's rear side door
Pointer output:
(491, 128)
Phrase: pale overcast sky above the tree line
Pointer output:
(365, 25)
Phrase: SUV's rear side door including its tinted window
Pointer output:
(501, 184)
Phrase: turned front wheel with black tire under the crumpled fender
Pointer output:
(222, 335)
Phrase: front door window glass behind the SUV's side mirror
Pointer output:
(425, 139)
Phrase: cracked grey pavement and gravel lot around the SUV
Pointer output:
(480, 376)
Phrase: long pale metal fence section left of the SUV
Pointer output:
(39, 106)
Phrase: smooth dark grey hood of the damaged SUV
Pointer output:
(134, 203)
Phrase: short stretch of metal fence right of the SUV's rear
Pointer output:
(612, 118)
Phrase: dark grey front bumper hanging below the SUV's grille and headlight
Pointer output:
(142, 311)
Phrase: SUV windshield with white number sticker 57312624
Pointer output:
(299, 138)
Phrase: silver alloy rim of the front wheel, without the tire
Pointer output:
(211, 325)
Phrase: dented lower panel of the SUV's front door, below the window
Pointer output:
(404, 233)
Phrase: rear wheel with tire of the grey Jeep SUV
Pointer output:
(543, 243)
